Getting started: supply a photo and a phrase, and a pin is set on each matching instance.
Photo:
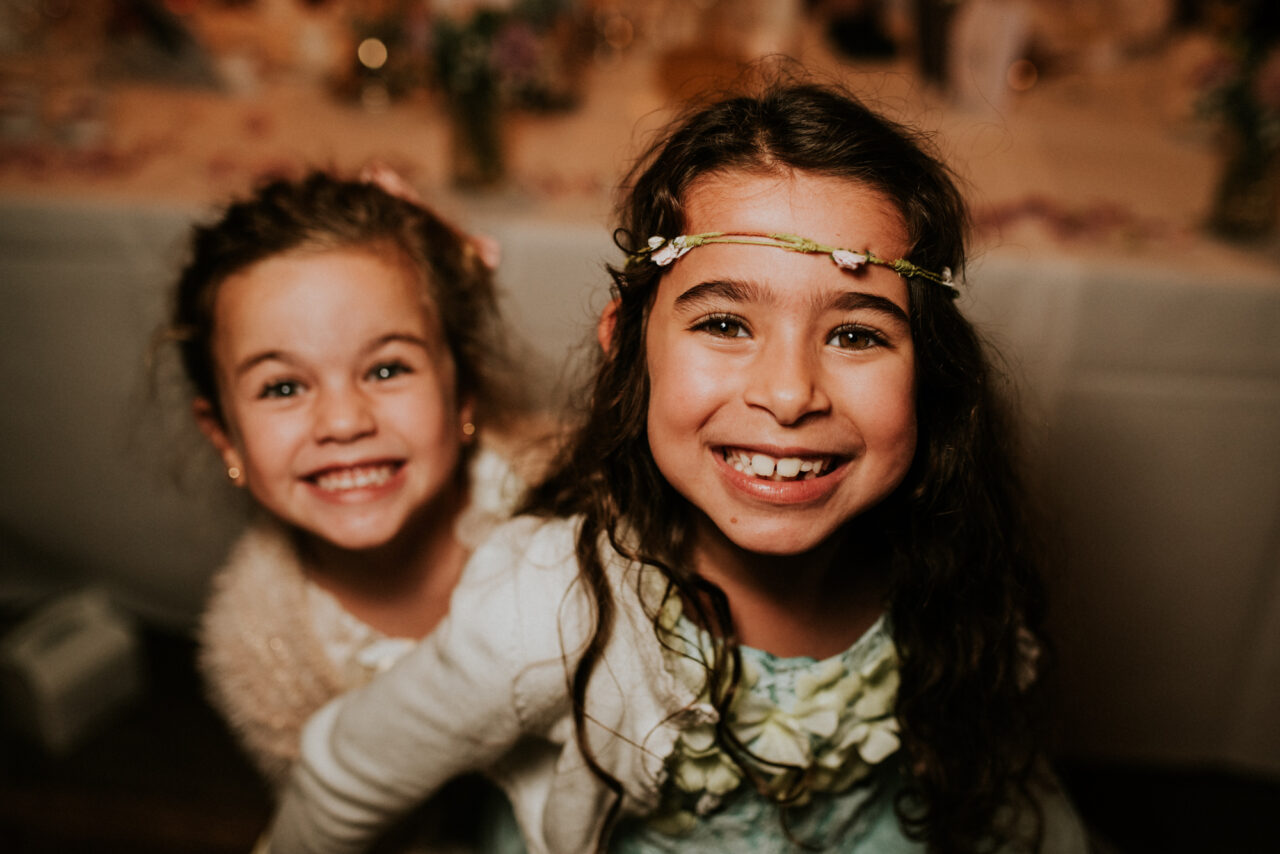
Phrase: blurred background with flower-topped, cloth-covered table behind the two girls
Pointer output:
(1123, 162)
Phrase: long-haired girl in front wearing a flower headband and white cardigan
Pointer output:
(778, 592)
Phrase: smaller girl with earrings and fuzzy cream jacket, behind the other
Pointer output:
(342, 341)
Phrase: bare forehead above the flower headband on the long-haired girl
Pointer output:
(822, 208)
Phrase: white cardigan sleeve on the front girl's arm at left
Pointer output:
(459, 702)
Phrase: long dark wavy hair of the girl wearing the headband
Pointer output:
(964, 593)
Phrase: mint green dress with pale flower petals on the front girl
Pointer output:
(831, 716)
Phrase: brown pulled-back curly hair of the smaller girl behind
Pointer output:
(321, 212)
